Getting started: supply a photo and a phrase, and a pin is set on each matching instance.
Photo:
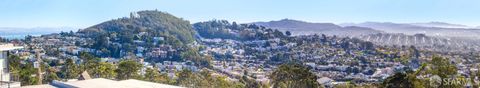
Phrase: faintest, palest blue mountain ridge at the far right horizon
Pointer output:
(430, 29)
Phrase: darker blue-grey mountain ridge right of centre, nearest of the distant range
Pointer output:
(302, 27)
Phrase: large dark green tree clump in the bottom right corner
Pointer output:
(438, 66)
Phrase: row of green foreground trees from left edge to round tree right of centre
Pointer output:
(286, 76)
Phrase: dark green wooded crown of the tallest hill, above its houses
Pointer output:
(151, 23)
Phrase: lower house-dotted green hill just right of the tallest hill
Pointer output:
(225, 30)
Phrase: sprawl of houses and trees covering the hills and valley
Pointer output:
(158, 47)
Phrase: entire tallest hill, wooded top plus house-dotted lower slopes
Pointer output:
(146, 29)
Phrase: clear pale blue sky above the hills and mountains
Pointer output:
(84, 13)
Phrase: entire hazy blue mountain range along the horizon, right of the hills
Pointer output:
(439, 29)
